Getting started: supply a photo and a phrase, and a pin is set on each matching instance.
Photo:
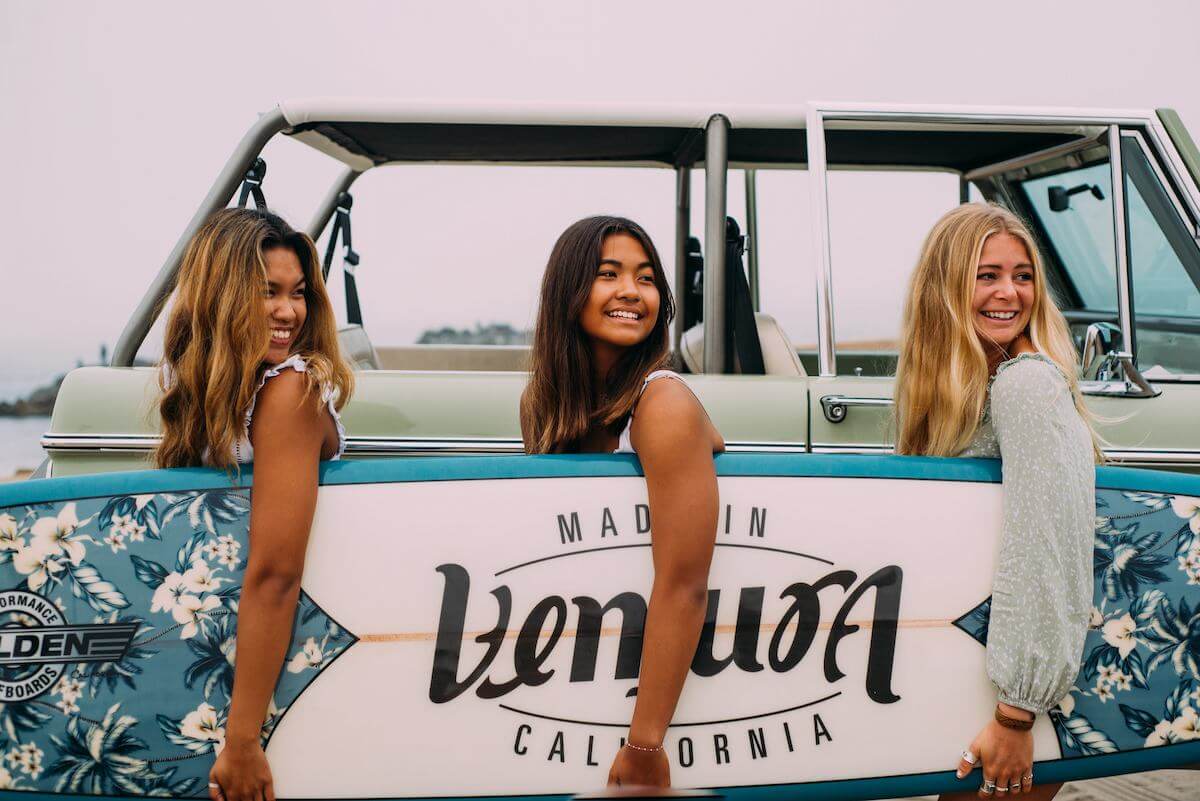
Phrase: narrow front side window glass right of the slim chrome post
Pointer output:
(1166, 274)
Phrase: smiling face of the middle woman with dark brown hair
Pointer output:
(623, 305)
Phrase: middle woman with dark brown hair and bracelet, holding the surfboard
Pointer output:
(597, 386)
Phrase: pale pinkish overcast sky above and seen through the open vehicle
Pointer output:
(122, 115)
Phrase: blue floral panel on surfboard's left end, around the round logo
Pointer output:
(153, 722)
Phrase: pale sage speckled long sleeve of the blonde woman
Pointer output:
(1042, 593)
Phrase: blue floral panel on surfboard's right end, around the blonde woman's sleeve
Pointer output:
(1139, 683)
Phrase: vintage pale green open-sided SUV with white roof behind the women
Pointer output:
(1114, 198)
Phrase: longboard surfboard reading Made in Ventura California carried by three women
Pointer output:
(472, 628)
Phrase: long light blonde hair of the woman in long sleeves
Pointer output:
(943, 374)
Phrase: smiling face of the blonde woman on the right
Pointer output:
(1004, 291)
